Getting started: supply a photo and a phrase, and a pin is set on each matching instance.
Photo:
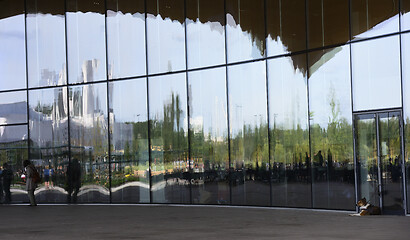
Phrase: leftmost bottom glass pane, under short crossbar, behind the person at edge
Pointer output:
(13, 150)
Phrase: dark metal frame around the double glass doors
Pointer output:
(356, 162)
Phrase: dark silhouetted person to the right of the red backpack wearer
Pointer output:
(73, 180)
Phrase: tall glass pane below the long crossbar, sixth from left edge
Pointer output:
(209, 136)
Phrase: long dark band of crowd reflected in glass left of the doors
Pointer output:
(301, 170)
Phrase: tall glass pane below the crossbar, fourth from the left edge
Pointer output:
(129, 141)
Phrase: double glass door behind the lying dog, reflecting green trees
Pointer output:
(378, 156)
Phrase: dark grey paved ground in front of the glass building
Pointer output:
(191, 222)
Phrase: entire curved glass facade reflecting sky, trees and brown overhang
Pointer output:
(263, 103)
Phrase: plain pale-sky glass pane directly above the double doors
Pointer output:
(376, 74)
